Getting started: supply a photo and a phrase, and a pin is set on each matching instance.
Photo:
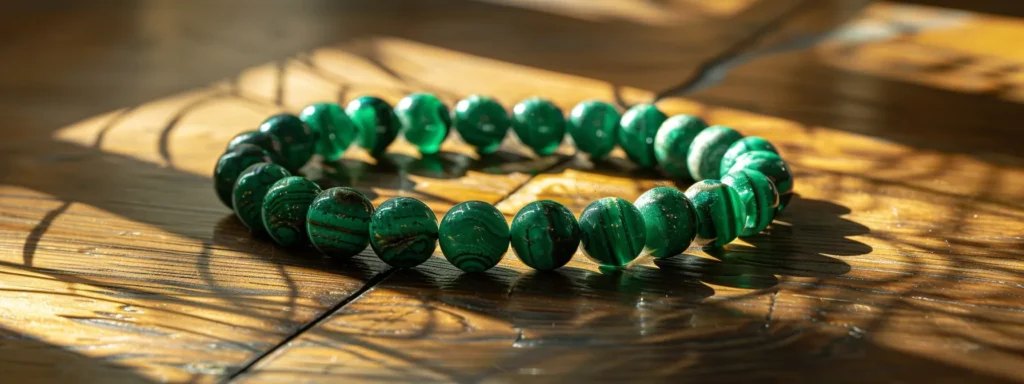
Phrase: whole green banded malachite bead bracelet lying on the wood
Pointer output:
(742, 184)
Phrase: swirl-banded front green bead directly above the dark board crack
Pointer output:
(404, 233)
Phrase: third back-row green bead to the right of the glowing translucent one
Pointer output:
(592, 126)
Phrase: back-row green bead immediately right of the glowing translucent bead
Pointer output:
(482, 122)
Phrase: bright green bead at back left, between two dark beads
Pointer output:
(335, 132)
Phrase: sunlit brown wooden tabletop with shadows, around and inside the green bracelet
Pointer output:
(901, 261)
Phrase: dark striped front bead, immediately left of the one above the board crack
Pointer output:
(338, 222)
